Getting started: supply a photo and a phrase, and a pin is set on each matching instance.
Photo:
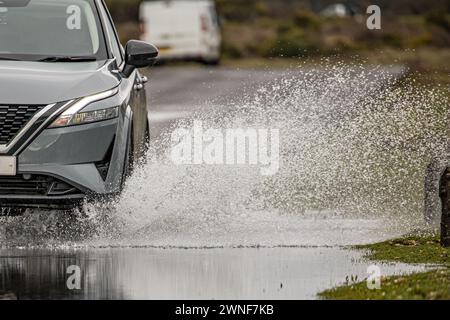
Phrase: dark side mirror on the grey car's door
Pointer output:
(138, 54)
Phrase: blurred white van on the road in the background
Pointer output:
(182, 29)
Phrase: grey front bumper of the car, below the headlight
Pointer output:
(63, 166)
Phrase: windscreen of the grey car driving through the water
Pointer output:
(35, 29)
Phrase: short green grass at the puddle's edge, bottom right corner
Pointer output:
(431, 285)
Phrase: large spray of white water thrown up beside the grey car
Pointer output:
(354, 145)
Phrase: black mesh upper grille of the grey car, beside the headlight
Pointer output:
(13, 118)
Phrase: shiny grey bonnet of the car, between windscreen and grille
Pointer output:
(24, 82)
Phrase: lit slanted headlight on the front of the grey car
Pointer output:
(74, 115)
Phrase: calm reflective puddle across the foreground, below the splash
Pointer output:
(147, 273)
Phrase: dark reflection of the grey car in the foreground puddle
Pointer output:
(36, 274)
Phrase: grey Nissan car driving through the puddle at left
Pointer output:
(73, 111)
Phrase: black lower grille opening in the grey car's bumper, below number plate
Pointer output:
(35, 185)
